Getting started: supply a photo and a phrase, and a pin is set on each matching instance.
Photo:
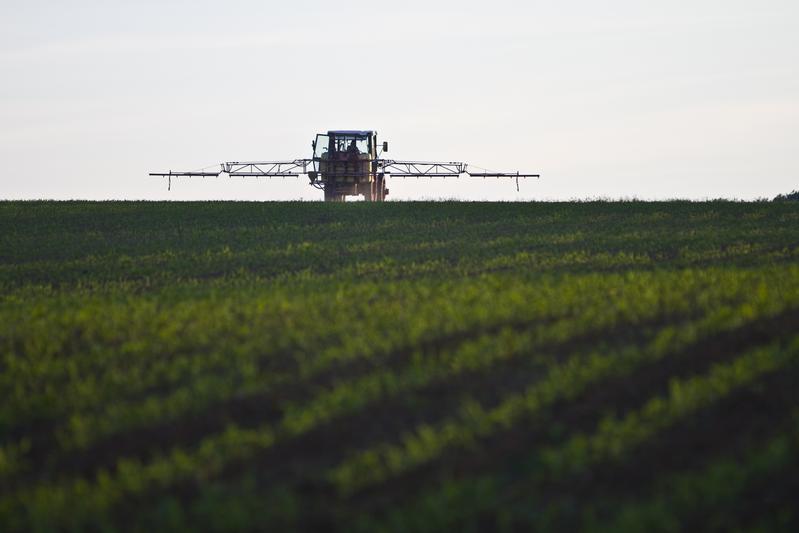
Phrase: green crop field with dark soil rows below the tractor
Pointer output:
(599, 366)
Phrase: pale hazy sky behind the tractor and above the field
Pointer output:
(688, 99)
